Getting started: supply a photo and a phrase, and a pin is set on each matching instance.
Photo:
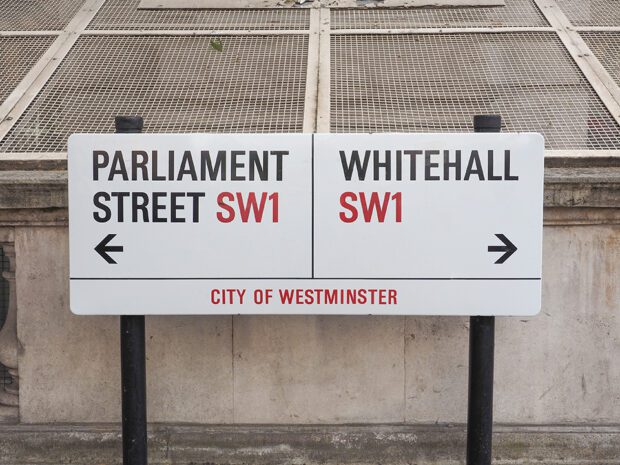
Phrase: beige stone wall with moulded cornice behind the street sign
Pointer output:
(557, 367)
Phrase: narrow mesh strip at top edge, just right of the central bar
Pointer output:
(515, 13)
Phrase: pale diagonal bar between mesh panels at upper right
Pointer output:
(600, 80)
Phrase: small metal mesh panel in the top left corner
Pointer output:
(37, 15)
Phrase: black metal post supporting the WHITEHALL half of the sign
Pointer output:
(481, 353)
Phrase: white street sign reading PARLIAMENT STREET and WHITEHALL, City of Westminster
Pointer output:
(442, 224)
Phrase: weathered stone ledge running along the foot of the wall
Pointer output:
(309, 445)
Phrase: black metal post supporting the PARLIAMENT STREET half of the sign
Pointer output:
(133, 360)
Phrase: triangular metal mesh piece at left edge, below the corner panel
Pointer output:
(17, 56)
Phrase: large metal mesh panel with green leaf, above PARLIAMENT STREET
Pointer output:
(179, 84)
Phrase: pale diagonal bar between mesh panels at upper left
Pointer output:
(30, 86)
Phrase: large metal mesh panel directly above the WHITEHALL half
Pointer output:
(433, 83)
